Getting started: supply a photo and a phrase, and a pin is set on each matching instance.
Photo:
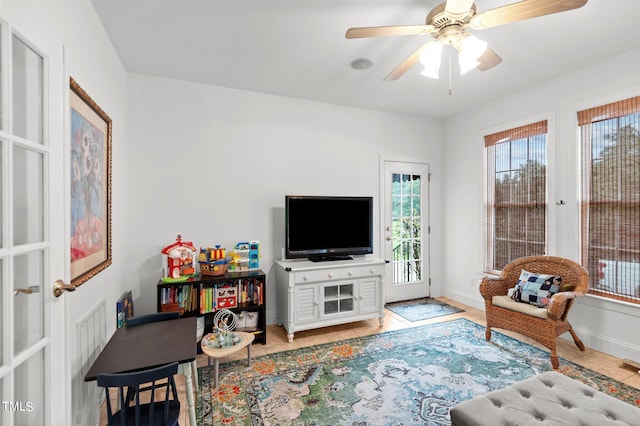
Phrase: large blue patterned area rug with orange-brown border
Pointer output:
(405, 377)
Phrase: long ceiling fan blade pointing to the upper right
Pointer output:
(522, 10)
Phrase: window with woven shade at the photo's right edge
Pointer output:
(610, 209)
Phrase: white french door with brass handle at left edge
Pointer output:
(33, 369)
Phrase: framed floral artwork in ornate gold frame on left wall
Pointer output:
(90, 186)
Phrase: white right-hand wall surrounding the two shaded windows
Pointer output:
(603, 325)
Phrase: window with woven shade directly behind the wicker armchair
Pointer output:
(516, 194)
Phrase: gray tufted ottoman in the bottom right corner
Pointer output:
(546, 399)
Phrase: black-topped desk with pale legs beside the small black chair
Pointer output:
(151, 345)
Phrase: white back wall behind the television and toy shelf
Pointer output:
(214, 164)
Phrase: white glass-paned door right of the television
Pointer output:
(405, 236)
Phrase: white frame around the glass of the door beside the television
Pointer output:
(426, 244)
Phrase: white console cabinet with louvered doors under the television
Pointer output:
(320, 294)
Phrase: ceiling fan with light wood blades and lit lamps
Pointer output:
(449, 24)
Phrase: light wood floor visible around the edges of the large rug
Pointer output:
(277, 341)
